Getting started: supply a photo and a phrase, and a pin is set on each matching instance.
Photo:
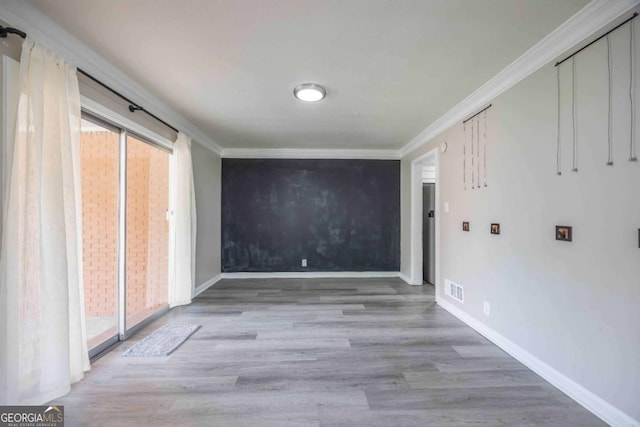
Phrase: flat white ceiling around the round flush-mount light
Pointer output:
(390, 67)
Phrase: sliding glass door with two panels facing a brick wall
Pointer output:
(125, 200)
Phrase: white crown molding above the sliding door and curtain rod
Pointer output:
(39, 27)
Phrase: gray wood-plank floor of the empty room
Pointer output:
(372, 352)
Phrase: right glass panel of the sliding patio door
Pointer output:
(147, 231)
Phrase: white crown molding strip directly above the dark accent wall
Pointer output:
(309, 153)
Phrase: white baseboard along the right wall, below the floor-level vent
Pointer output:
(598, 406)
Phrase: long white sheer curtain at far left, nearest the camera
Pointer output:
(43, 347)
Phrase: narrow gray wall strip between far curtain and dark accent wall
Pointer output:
(207, 168)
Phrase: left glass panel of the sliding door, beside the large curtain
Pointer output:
(99, 176)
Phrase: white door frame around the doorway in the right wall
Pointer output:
(430, 158)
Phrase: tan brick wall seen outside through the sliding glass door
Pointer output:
(147, 227)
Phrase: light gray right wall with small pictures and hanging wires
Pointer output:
(574, 306)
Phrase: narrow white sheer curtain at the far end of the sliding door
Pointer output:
(181, 287)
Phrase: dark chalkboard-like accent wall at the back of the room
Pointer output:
(339, 215)
